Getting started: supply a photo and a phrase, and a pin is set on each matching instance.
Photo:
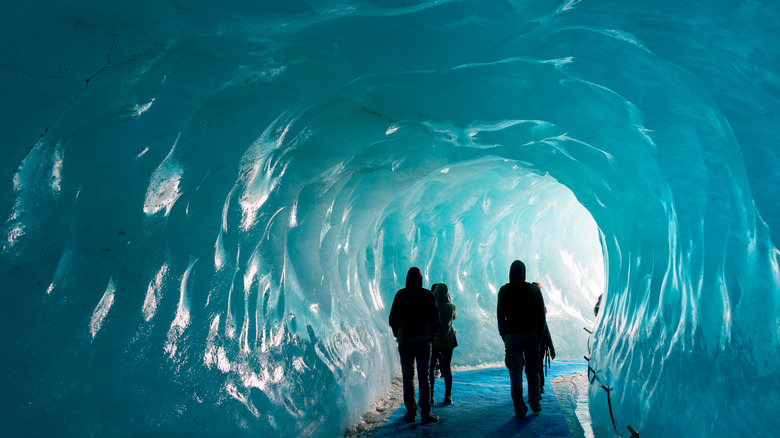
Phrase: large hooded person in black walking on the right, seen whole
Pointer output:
(521, 321)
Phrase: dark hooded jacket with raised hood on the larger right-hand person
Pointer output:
(520, 306)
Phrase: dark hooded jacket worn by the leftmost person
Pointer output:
(414, 315)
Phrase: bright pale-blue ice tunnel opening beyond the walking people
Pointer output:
(465, 223)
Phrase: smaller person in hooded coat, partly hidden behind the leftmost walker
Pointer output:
(445, 340)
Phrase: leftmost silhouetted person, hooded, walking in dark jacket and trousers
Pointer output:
(414, 318)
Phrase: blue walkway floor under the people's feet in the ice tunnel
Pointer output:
(483, 407)
